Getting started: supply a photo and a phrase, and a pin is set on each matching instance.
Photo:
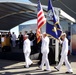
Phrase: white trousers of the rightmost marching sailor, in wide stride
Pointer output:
(64, 59)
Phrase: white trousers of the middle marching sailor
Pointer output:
(45, 61)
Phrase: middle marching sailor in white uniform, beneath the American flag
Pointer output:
(45, 51)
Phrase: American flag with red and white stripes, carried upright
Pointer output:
(40, 20)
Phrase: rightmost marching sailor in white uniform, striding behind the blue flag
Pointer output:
(64, 53)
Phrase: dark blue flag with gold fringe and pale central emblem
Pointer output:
(52, 26)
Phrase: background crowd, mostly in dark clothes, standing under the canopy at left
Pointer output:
(14, 40)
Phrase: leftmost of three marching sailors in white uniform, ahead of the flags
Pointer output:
(27, 51)
